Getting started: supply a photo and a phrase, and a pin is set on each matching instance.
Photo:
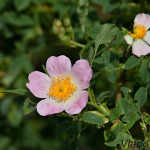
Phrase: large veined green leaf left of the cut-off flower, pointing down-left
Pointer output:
(106, 34)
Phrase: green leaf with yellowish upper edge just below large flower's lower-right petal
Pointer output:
(93, 117)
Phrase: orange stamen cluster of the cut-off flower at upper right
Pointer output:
(139, 31)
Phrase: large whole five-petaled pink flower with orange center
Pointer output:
(64, 89)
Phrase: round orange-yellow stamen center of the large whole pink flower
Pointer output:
(61, 88)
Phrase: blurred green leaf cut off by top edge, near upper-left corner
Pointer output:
(21, 4)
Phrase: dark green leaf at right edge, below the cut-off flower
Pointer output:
(143, 72)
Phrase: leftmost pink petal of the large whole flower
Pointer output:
(39, 84)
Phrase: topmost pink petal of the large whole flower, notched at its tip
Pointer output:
(58, 65)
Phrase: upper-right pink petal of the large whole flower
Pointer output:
(82, 73)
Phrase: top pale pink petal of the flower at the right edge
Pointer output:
(143, 19)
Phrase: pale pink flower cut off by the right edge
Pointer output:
(140, 38)
